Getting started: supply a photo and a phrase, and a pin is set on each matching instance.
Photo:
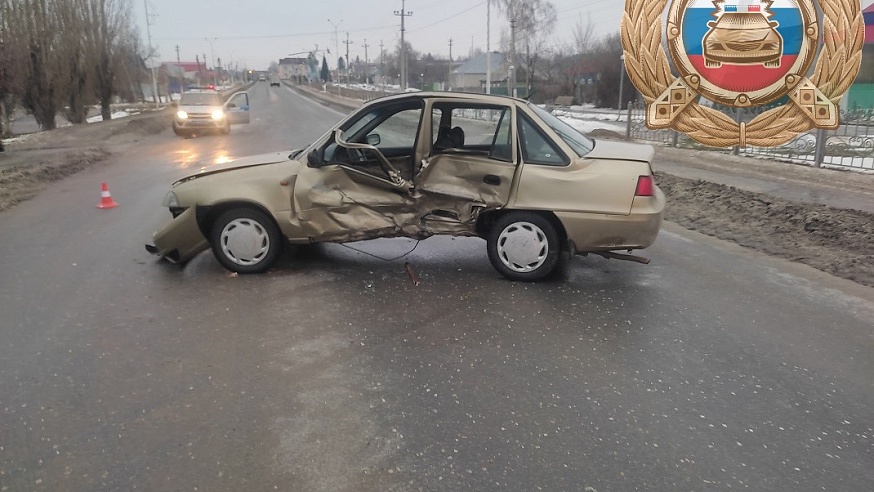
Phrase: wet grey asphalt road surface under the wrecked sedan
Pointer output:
(712, 368)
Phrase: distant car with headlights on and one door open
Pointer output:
(206, 111)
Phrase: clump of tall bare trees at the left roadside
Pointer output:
(68, 54)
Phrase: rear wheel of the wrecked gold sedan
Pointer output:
(524, 246)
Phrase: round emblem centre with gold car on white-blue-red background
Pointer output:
(746, 52)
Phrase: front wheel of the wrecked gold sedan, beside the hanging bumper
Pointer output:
(245, 240)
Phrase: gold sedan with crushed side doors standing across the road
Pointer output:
(416, 165)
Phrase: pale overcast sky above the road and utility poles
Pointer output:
(252, 33)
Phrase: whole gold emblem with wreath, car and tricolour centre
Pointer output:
(742, 53)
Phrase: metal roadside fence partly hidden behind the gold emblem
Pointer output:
(851, 145)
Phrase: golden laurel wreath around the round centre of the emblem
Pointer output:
(837, 66)
